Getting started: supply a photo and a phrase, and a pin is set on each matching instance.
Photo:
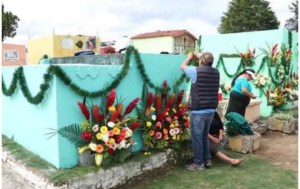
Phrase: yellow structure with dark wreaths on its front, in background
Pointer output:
(60, 46)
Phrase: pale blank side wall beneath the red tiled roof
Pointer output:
(154, 45)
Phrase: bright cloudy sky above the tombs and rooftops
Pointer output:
(112, 19)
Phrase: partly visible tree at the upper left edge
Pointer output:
(9, 24)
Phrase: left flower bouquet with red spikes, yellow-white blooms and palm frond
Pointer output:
(107, 130)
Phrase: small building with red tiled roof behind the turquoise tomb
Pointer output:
(172, 41)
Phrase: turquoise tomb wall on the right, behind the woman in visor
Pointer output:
(228, 43)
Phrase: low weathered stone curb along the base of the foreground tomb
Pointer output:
(122, 176)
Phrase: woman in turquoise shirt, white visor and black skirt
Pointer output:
(241, 92)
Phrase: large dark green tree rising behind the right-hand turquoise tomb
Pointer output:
(248, 15)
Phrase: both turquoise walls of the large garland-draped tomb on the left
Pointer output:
(60, 108)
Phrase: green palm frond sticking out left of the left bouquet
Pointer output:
(73, 134)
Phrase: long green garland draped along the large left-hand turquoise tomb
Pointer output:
(58, 71)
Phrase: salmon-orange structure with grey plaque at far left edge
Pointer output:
(13, 55)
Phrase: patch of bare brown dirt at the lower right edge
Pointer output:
(281, 149)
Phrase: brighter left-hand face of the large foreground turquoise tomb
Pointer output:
(27, 123)
